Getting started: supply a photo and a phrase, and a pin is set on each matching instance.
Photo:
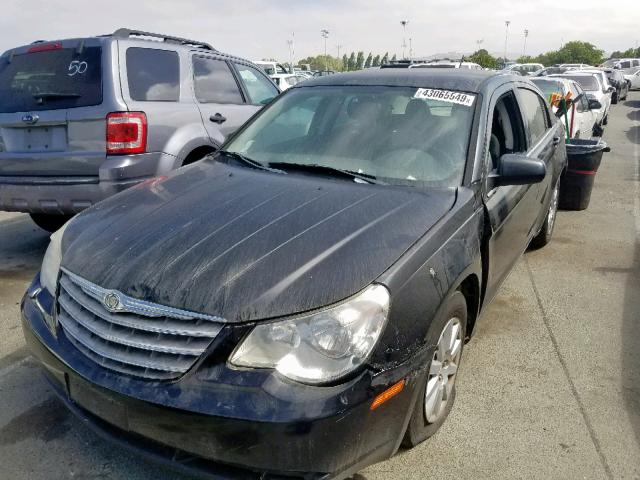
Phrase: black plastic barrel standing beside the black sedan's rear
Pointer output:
(576, 183)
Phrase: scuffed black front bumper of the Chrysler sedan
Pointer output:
(224, 422)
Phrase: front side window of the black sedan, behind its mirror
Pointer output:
(507, 130)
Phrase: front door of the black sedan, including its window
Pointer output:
(512, 210)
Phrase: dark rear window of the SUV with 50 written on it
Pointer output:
(52, 79)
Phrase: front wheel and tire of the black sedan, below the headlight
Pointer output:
(420, 427)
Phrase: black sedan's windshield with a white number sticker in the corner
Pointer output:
(395, 135)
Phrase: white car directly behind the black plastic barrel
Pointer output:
(581, 118)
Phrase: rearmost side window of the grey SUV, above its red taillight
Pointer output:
(153, 75)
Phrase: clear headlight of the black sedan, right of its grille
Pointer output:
(319, 347)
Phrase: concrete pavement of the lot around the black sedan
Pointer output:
(549, 387)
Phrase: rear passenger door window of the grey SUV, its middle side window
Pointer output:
(213, 82)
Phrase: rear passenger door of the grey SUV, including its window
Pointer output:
(221, 102)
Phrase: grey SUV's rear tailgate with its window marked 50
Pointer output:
(52, 120)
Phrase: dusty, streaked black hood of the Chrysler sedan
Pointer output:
(246, 244)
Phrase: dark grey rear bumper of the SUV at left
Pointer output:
(72, 194)
